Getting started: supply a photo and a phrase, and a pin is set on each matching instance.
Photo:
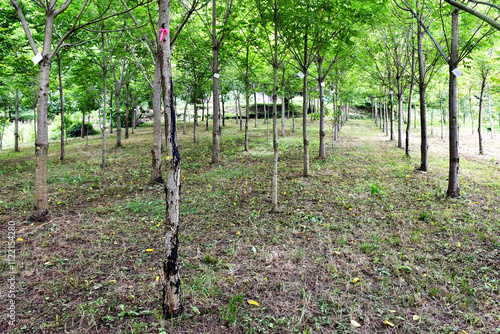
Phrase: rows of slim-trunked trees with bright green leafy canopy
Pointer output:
(332, 52)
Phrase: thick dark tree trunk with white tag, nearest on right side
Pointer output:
(453, 184)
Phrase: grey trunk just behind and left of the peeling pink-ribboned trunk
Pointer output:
(156, 175)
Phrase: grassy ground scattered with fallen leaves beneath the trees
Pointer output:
(367, 240)
